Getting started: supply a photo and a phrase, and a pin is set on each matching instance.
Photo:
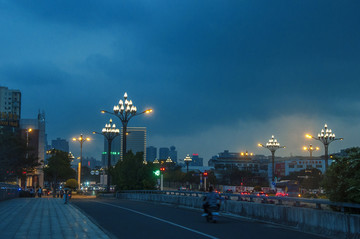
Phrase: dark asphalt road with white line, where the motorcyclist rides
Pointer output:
(134, 219)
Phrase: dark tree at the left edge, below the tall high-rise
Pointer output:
(15, 157)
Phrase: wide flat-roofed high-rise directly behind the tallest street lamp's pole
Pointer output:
(135, 140)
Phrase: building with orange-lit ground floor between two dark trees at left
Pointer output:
(37, 141)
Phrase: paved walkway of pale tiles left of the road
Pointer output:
(44, 218)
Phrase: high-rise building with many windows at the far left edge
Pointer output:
(10, 107)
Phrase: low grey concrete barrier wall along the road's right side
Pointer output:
(329, 223)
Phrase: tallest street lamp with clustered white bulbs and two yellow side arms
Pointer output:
(125, 110)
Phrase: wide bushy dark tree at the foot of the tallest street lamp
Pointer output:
(132, 174)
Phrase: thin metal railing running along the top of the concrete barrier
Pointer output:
(293, 201)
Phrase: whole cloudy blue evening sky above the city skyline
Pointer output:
(218, 74)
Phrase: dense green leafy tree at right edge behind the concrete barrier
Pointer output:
(342, 179)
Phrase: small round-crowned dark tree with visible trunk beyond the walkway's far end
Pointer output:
(58, 168)
